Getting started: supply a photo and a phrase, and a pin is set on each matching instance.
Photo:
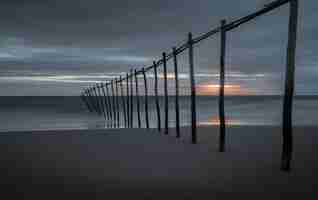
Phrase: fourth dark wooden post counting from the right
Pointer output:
(175, 62)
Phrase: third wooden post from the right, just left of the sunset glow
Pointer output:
(193, 92)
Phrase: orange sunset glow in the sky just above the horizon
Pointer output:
(213, 89)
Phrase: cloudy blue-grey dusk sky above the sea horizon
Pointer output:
(57, 48)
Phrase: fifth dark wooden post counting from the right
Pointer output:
(164, 59)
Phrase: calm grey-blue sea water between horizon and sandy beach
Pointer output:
(50, 113)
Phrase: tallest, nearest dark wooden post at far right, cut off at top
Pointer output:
(289, 87)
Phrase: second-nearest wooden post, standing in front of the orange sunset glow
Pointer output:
(221, 88)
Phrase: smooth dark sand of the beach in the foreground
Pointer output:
(146, 164)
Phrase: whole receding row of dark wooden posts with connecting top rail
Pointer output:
(117, 106)
